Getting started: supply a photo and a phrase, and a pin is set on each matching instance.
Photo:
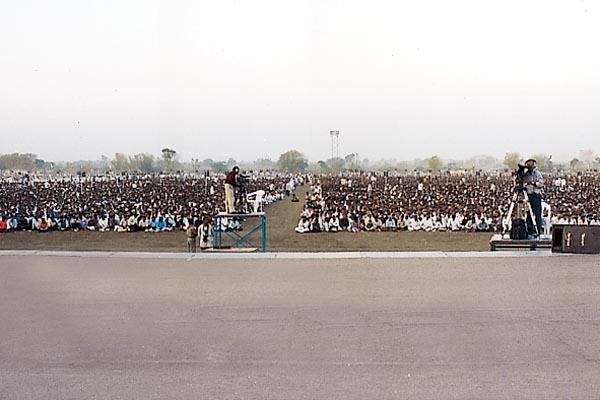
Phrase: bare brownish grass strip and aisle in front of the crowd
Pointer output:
(282, 218)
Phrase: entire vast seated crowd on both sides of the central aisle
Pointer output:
(351, 201)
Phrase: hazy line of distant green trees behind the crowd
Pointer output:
(168, 160)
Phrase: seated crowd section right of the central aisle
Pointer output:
(451, 201)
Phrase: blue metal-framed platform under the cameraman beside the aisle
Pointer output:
(241, 239)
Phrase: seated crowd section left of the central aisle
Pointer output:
(122, 202)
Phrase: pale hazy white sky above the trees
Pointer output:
(250, 78)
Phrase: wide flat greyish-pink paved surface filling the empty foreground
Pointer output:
(109, 328)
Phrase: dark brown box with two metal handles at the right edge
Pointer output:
(578, 239)
